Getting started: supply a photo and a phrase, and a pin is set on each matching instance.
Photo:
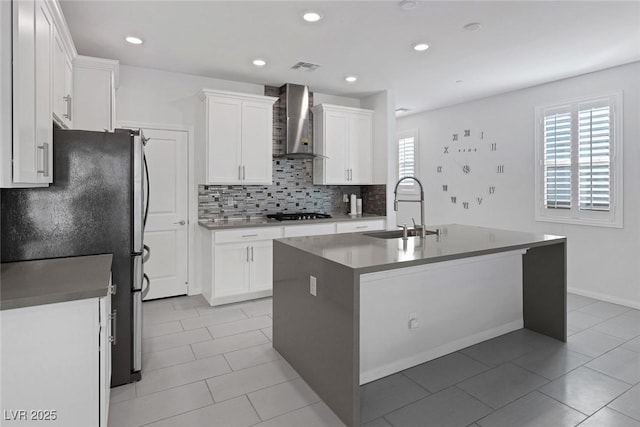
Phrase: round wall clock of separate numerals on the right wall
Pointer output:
(470, 168)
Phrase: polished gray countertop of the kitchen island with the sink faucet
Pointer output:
(367, 254)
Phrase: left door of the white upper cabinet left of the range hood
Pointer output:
(224, 140)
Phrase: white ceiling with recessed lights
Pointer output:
(520, 43)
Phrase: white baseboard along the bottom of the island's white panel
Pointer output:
(399, 365)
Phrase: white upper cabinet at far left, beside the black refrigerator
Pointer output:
(32, 34)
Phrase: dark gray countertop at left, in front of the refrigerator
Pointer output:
(48, 281)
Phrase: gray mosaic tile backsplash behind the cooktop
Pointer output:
(292, 191)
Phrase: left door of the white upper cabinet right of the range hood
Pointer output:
(336, 137)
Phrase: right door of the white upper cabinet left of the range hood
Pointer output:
(257, 142)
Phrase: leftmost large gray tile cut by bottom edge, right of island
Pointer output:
(448, 408)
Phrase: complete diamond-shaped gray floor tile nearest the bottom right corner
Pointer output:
(585, 390)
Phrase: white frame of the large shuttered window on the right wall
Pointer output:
(574, 215)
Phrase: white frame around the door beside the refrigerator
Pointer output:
(193, 287)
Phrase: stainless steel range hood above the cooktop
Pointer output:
(298, 133)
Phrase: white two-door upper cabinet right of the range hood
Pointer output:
(344, 136)
